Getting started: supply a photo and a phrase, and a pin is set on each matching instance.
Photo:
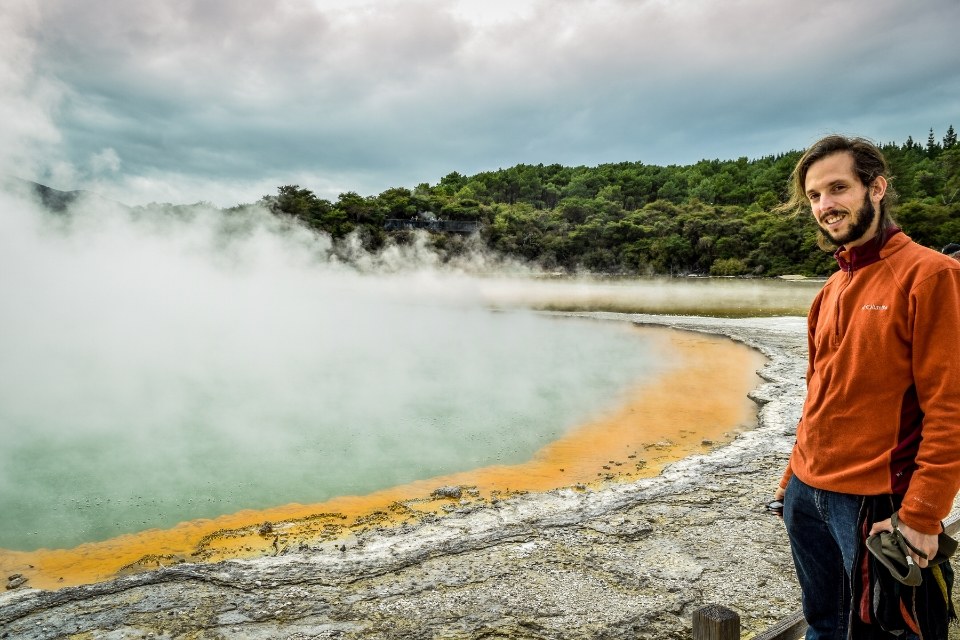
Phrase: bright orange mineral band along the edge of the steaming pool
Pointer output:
(700, 401)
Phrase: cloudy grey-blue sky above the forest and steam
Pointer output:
(224, 100)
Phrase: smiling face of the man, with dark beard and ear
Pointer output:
(843, 207)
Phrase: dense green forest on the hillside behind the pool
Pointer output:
(715, 217)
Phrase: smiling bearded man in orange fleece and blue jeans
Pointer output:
(880, 429)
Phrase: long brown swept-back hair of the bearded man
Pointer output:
(868, 162)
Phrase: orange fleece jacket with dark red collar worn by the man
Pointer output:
(882, 412)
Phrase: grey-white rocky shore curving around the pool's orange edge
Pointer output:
(625, 560)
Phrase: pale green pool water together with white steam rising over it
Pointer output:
(167, 368)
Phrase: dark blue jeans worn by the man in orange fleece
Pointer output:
(822, 526)
